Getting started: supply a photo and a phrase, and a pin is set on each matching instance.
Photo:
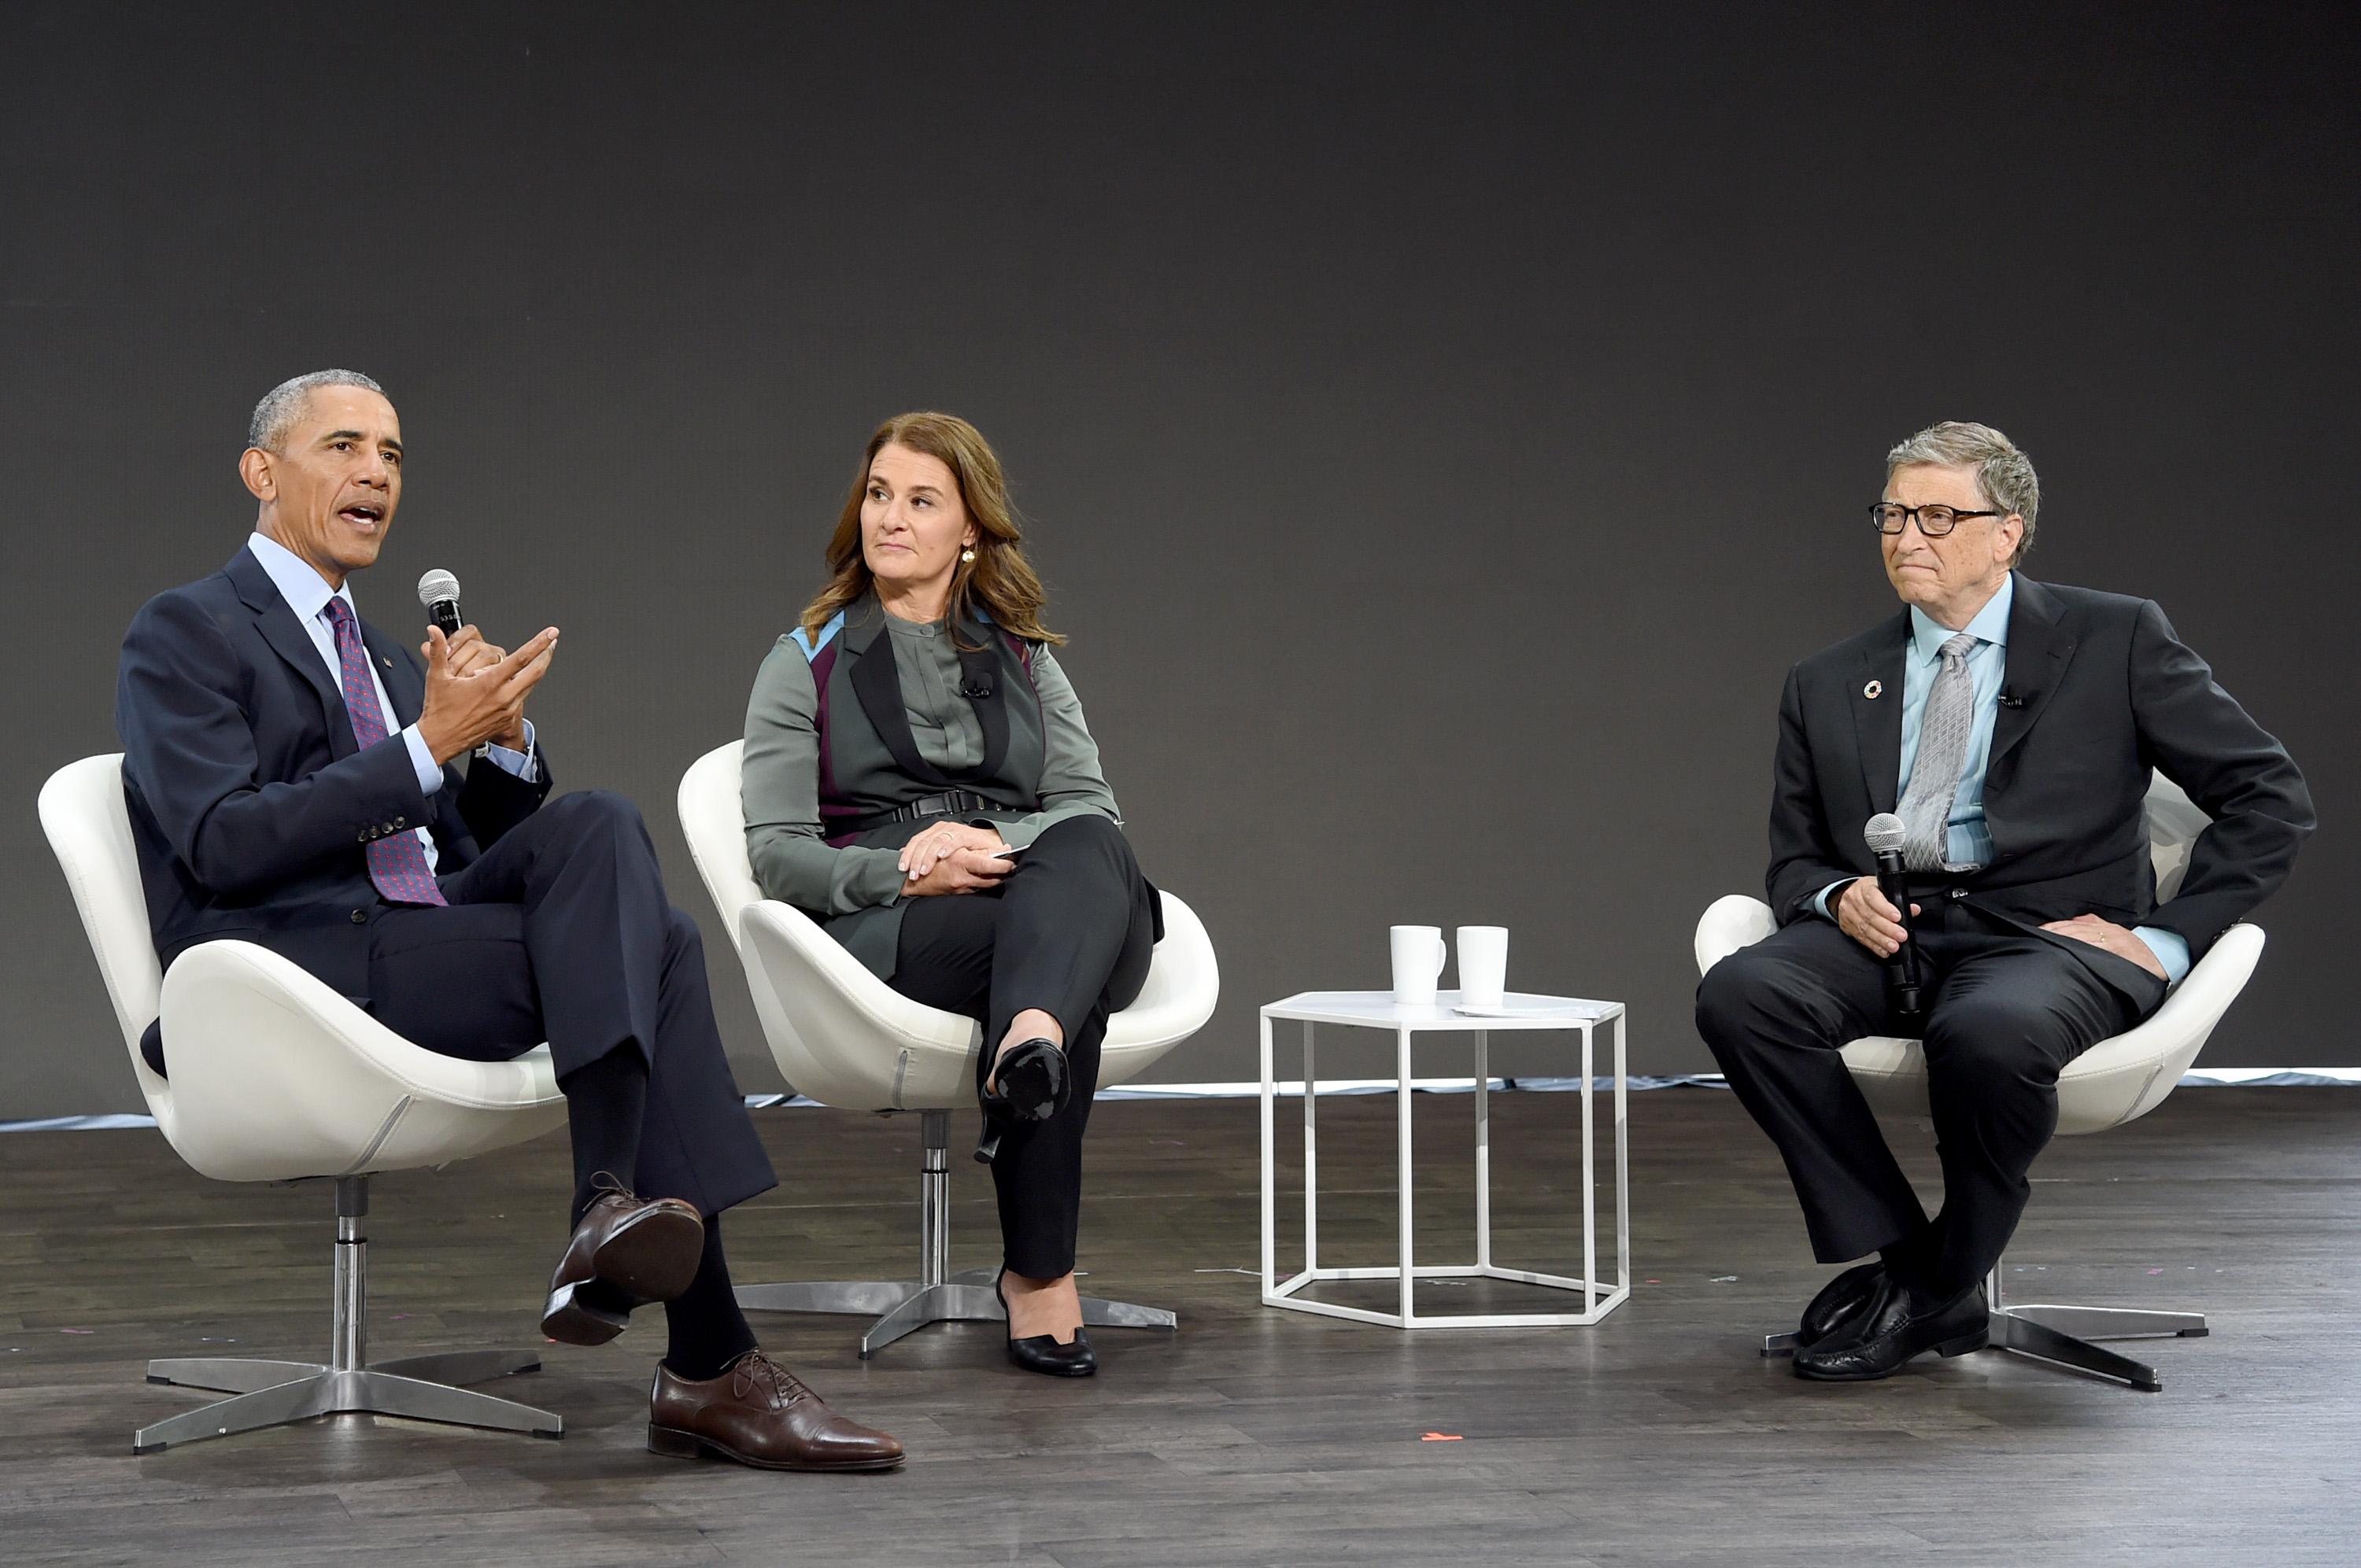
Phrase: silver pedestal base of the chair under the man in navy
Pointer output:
(280, 1392)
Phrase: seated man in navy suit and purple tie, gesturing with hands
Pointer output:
(292, 780)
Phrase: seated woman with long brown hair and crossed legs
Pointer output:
(922, 780)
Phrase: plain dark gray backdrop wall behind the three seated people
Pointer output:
(1441, 426)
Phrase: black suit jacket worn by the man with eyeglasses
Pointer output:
(2098, 691)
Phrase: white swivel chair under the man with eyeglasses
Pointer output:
(2110, 1085)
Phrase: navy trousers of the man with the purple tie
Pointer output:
(561, 932)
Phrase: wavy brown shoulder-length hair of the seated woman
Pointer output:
(1000, 580)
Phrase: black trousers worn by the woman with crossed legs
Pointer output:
(1071, 932)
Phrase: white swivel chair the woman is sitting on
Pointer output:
(849, 1040)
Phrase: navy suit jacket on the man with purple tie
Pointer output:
(249, 797)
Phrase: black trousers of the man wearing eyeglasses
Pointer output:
(2008, 1012)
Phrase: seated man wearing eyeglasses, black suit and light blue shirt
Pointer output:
(2013, 729)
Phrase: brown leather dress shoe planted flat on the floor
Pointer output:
(759, 1413)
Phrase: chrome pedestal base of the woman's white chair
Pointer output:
(903, 1307)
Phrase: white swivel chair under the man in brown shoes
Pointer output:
(277, 1078)
